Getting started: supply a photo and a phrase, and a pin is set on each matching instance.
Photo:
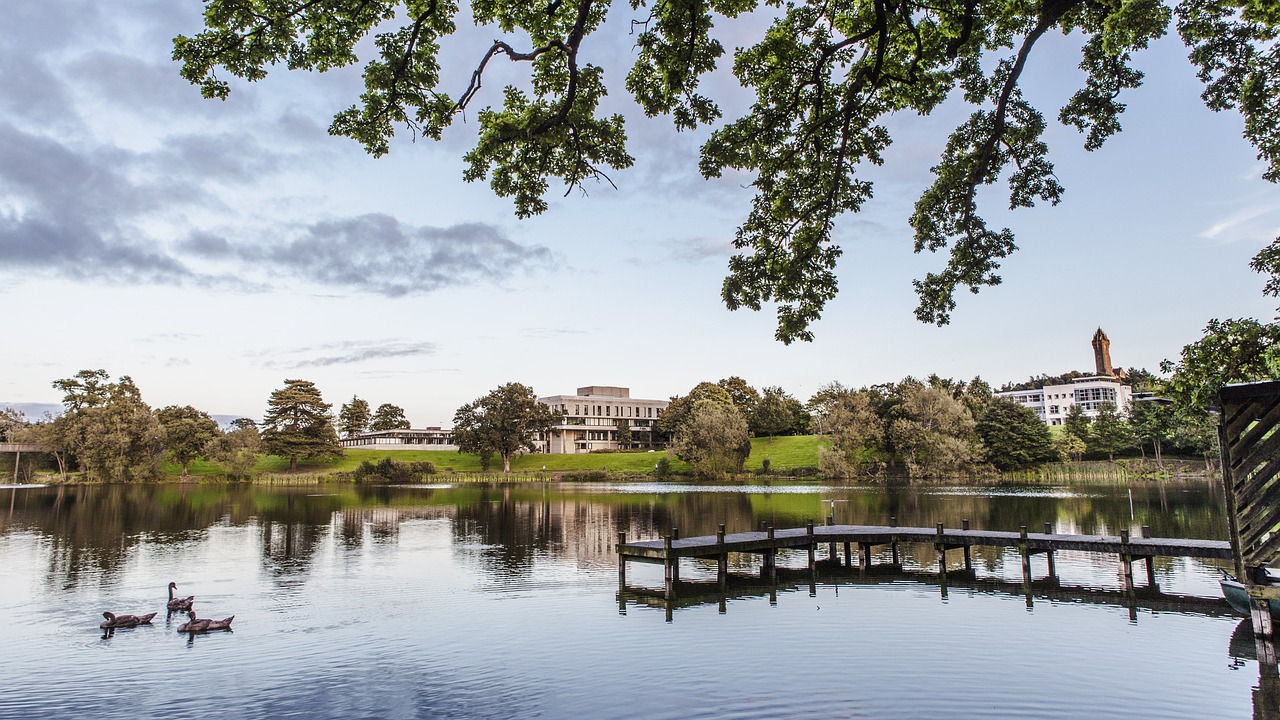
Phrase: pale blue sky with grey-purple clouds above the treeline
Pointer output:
(212, 250)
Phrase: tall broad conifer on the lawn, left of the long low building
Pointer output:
(299, 423)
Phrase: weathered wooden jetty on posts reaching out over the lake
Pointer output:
(767, 544)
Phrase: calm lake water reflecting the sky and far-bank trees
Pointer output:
(502, 601)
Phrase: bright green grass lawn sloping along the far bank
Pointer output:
(784, 454)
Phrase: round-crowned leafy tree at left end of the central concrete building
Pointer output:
(504, 422)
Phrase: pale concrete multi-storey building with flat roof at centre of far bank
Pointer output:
(591, 421)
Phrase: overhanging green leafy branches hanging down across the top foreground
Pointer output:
(825, 76)
